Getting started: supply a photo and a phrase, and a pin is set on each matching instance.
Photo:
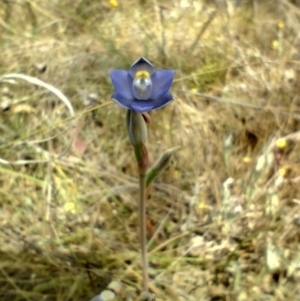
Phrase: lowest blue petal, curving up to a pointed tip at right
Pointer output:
(143, 106)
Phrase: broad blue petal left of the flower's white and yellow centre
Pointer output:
(122, 82)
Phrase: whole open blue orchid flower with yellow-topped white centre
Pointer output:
(142, 88)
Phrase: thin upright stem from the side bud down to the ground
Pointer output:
(143, 231)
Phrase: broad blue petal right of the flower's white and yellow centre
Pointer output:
(161, 83)
